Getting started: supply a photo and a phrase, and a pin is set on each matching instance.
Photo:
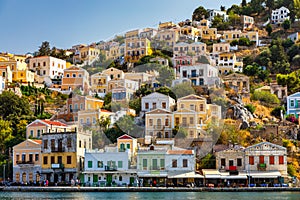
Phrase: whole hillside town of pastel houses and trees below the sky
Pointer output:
(210, 101)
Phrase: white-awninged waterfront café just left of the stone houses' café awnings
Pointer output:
(178, 179)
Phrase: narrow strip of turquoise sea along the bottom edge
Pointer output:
(149, 195)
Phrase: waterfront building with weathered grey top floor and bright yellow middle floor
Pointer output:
(63, 154)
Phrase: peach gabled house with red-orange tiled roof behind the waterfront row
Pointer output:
(36, 128)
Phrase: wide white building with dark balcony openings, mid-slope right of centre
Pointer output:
(200, 74)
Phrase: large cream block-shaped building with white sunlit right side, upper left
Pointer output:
(47, 66)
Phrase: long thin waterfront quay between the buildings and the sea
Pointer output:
(145, 189)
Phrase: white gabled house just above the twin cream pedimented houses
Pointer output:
(157, 100)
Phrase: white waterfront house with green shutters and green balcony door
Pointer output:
(108, 169)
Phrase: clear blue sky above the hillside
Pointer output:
(25, 24)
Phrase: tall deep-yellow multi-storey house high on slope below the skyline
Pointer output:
(136, 48)
